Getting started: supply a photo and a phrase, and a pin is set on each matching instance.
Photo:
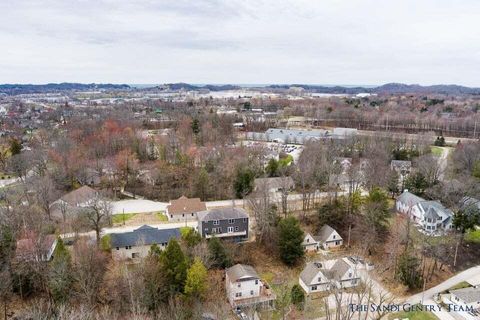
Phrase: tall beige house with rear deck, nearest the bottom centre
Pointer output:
(245, 288)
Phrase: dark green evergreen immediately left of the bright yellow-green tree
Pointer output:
(174, 265)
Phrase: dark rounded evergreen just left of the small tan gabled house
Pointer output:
(290, 241)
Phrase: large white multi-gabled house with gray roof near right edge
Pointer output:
(431, 216)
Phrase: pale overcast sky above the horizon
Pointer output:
(368, 42)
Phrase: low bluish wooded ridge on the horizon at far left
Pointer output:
(13, 89)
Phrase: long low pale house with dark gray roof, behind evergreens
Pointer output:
(137, 243)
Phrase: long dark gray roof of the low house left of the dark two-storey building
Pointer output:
(145, 235)
